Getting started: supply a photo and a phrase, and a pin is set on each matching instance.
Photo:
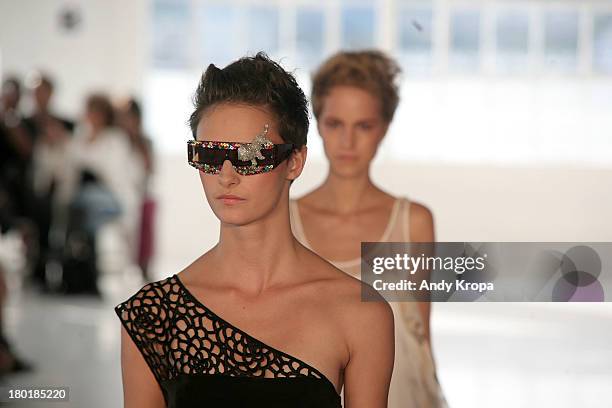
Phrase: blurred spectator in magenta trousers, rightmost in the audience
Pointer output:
(130, 119)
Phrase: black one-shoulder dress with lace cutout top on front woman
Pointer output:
(201, 360)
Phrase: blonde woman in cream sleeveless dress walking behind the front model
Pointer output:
(354, 97)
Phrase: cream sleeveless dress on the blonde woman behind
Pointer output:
(414, 383)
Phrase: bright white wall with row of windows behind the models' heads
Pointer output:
(505, 113)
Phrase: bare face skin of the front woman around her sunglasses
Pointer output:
(259, 194)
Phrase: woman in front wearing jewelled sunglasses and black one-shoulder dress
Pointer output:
(259, 320)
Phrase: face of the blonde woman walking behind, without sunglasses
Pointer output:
(352, 127)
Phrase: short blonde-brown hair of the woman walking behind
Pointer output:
(370, 70)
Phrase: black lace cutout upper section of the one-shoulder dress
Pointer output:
(177, 334)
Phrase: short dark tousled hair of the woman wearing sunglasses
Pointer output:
(255, 81)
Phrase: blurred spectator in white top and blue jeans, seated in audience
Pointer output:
(101, 183)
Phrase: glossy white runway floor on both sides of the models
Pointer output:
(488, 354)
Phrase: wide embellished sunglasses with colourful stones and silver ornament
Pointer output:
(256, 157)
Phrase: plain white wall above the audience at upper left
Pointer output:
(107, 52)
